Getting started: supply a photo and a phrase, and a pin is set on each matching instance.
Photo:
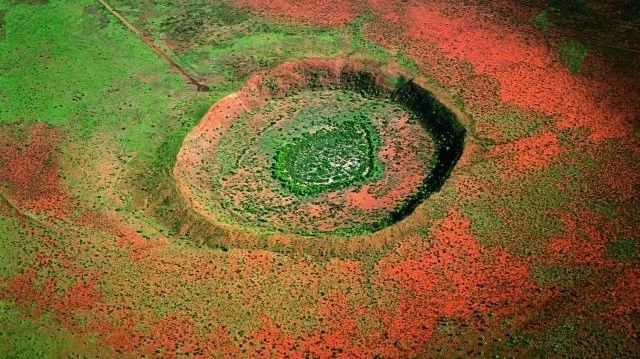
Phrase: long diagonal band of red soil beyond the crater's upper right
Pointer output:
(528, 74)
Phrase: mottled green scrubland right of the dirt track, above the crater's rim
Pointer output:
(216, 40)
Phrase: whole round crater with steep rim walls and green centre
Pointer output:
(318, 146)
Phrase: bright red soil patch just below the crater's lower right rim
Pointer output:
(453, 277)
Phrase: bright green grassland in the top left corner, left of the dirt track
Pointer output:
(75, 73)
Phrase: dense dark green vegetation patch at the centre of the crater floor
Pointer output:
(328, 159)
